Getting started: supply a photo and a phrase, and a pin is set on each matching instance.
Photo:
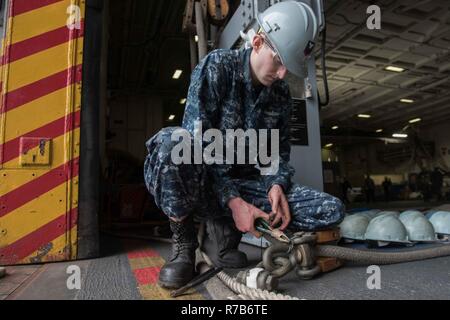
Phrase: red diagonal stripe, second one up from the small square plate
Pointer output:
(41, 88)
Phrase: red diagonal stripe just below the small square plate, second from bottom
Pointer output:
(35, 188)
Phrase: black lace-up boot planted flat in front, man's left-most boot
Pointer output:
(179, 270)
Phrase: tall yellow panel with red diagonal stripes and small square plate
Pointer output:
(41, 72)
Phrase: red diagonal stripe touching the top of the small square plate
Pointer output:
(11, 149)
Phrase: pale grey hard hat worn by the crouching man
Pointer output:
(291, 27)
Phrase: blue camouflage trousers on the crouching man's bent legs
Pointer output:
(185, 189)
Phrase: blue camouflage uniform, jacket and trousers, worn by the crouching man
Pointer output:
(221, 95)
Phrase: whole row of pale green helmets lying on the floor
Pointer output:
(386, 227)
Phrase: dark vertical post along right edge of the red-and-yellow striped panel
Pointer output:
(89, 185)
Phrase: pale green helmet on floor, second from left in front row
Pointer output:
(387, 228)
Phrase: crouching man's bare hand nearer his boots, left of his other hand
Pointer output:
(245, 214)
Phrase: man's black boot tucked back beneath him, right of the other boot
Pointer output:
(225, 239)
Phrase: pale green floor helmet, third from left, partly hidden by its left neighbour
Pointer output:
(418, 227)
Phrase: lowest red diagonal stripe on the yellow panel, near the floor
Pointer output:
(25, 246)
